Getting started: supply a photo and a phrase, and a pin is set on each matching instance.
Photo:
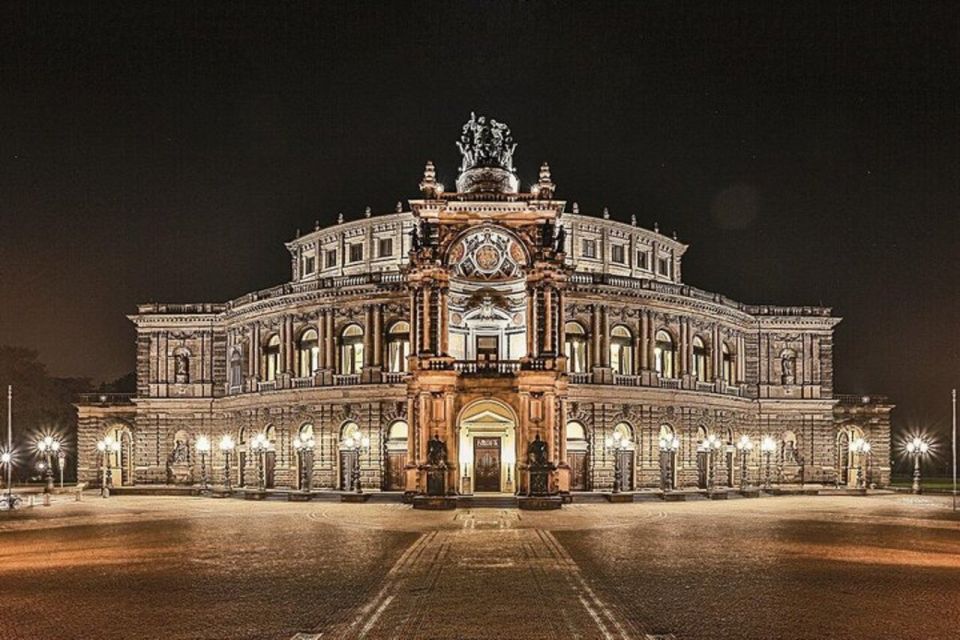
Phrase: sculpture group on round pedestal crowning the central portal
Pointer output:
(486, 147)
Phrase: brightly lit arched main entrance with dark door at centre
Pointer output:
(487, 447)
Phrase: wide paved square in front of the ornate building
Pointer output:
(791, 568)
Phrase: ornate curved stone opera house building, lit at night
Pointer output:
(488, 319)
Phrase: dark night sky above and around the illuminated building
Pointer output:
(164, 151)
